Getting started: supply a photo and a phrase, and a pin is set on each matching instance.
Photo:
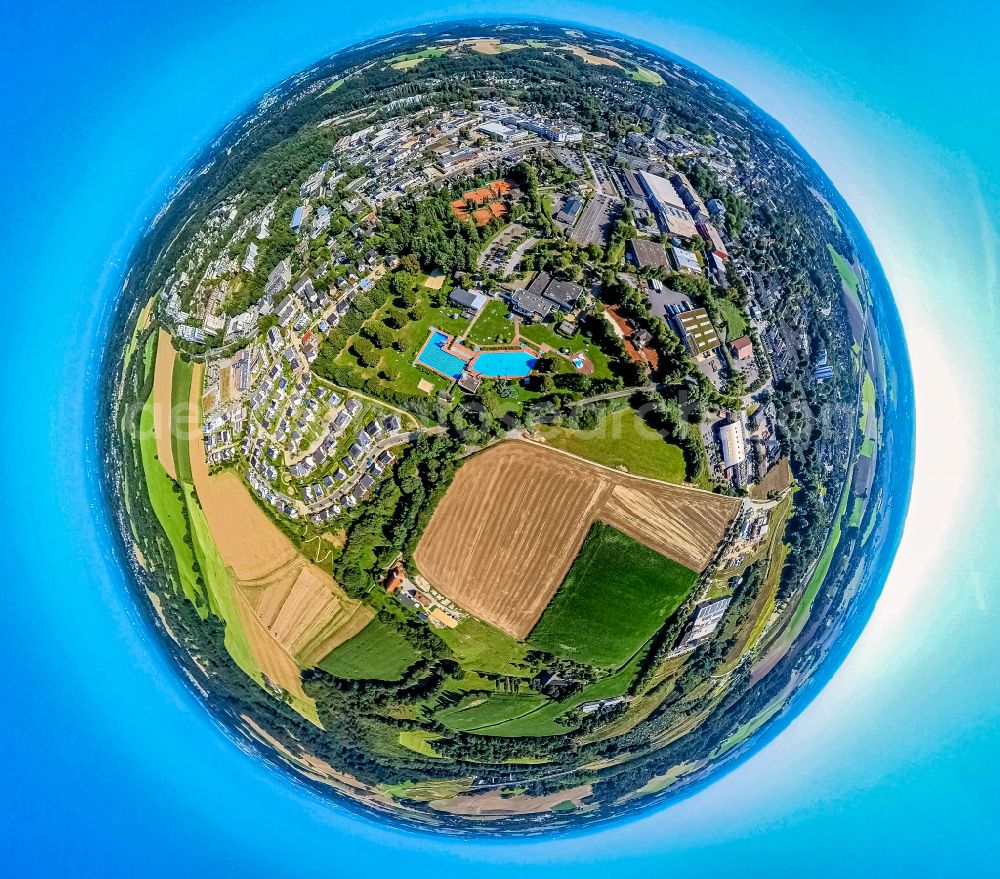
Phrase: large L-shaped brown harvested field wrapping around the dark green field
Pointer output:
(505, 534)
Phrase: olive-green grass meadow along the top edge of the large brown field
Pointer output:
(622, 439)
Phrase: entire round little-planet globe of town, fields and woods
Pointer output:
(499, 426)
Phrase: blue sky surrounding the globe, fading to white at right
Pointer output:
(111, 767)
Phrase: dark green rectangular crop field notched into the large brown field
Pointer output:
(615, 596)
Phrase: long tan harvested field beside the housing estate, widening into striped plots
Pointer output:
(292, 611)
